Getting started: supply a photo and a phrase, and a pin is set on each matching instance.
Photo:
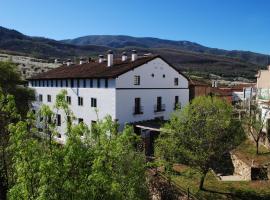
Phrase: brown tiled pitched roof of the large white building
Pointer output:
(96, 70)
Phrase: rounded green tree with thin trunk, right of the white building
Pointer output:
(200, 134)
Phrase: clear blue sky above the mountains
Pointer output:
(227, 24)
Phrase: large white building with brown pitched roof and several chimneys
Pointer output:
(130, 90)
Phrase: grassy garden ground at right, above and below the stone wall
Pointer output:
(188, 178)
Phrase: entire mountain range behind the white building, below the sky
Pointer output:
(188, 56)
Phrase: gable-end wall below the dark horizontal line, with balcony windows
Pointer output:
(125, 103)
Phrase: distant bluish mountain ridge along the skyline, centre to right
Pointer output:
(122, 41)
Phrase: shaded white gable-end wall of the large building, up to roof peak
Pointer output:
(149, 89)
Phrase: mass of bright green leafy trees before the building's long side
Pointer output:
(94, 163)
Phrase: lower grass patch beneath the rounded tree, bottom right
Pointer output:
(214, 189)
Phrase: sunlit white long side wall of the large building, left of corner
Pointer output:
(105, 101)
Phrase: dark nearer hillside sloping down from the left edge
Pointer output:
(14, 41)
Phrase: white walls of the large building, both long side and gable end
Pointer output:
(156, 79)
